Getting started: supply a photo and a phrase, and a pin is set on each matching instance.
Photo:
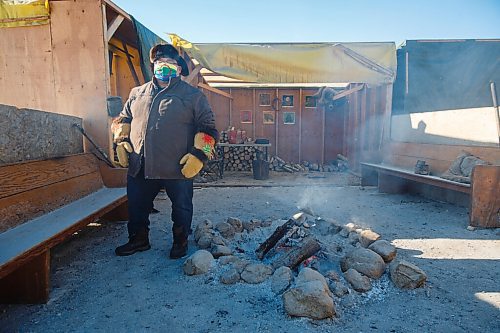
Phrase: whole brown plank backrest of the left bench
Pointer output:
(31, 189)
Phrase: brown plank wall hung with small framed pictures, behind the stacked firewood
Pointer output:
(354, 128)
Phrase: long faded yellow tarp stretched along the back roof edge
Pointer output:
(372, 63)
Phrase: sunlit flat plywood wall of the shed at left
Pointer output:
(59, 67)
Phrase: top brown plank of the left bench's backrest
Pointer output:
(28, 176)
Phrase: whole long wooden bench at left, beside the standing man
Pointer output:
(43, 203)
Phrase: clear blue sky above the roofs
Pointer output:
(318, 20)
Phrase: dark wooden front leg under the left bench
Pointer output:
(29, 284)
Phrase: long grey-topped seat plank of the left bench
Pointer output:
(38, 235)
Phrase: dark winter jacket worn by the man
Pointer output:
(163, 125)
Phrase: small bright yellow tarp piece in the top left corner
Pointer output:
(21, 13)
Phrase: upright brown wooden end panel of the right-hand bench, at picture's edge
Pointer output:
(485, 203)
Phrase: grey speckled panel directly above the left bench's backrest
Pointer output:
(36, 135)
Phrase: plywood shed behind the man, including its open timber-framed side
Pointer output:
(85, 53)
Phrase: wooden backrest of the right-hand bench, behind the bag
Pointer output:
(439, 157)
